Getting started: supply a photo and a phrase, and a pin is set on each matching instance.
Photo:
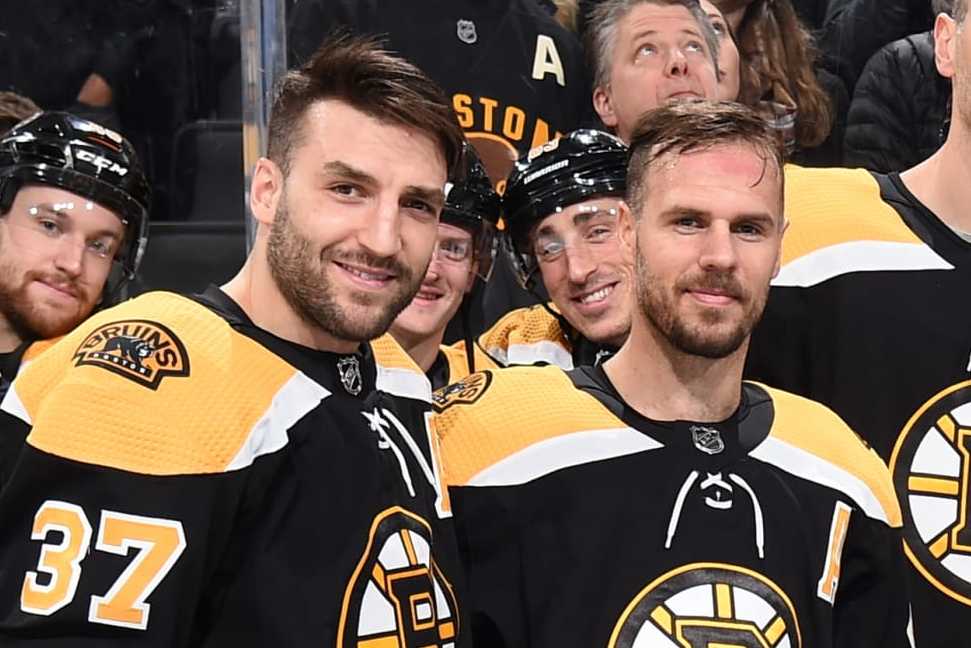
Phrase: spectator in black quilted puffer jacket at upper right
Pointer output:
(901, 106)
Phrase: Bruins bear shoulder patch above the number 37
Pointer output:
(142, 351)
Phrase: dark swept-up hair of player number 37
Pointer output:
(360, 72)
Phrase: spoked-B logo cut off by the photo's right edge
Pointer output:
(931, 463)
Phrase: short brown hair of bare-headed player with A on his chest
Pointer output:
(689, 126)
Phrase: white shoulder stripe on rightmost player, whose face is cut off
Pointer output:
(858, 256)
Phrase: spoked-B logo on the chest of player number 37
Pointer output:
(397, 596)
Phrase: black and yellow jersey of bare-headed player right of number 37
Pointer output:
(582, 523)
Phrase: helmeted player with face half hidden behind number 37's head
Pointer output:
(465, 249)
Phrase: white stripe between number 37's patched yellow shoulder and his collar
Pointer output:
(296, 399)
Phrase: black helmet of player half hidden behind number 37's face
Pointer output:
(472, 204)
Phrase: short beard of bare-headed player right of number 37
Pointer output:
(708, 336)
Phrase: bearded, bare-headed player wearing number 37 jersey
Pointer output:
(235, 468)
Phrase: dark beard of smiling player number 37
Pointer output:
(300, 274)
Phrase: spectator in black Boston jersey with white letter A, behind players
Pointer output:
(515, 76)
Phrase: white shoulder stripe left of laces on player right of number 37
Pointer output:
(575, 449)
